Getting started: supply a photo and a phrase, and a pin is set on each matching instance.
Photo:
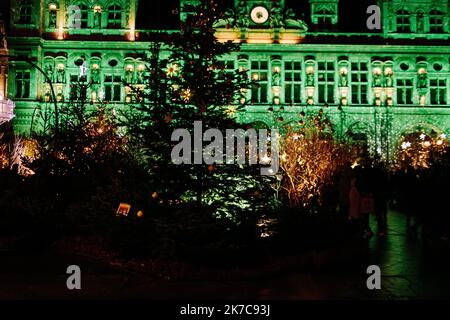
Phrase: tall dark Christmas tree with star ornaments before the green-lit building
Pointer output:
(191, 84)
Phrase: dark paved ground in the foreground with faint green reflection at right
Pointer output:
(410, 270)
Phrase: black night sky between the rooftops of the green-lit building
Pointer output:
(158, 13)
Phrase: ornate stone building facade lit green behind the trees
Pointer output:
(375, 85)
